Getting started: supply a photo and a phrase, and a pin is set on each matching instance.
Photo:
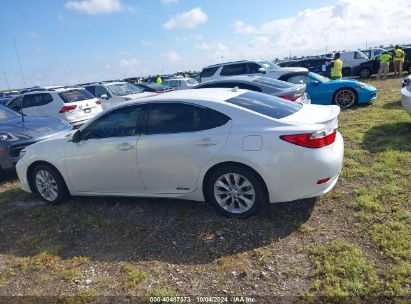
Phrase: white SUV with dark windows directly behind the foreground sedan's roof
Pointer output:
(246, 67)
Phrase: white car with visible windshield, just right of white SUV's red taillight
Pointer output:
(111, 94)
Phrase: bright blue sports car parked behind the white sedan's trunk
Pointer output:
(322, 90)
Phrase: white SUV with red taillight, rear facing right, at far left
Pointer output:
(74, 105)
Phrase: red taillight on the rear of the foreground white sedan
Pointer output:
(314, 140)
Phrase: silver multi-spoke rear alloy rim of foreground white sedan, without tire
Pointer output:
(234, 193)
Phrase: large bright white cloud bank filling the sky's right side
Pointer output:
(348, 24)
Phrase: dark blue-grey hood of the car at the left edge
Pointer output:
(34, 127)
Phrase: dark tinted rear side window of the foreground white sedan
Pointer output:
(166, 118)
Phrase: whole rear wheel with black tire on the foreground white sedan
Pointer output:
(239, 202)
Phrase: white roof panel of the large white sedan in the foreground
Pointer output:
(218, 95)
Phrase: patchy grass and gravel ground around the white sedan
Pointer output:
(354, 243)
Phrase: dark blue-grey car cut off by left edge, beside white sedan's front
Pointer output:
(17, 132)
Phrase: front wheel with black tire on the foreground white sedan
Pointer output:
(55, 182)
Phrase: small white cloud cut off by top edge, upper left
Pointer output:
(95, 7)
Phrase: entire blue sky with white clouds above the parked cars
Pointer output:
(64, 42)
